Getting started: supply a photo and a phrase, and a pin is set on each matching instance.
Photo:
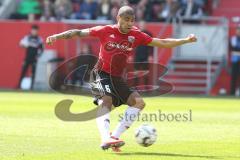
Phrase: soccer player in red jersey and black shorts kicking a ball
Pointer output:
(117, 43)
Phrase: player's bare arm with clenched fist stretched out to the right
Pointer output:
(171, 42)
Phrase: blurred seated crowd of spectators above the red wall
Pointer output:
(147, 10)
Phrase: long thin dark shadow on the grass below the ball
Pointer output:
(167, 155)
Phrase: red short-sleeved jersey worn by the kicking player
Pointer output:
(116, 47)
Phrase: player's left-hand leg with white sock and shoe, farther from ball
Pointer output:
(103, 123)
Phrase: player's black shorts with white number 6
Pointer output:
(103, 83)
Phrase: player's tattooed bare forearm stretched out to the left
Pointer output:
(67, 35)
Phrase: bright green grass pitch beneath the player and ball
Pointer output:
(29, 130)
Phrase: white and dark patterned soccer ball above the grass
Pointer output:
(146, 135)
